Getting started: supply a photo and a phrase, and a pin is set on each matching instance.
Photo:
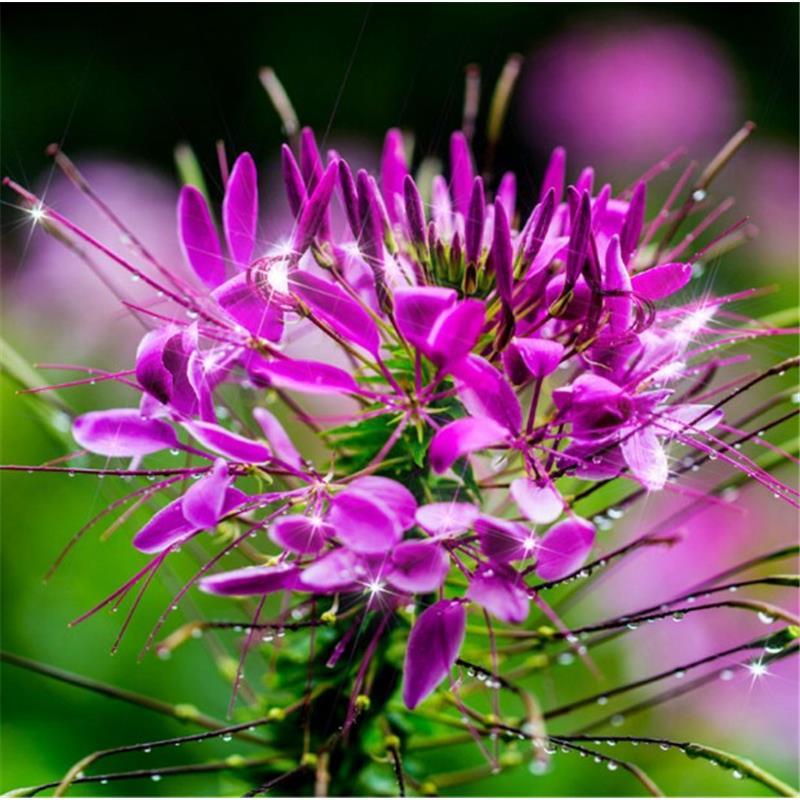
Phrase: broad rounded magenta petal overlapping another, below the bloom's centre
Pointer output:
(364, 523)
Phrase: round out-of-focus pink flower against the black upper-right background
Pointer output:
(628, 94)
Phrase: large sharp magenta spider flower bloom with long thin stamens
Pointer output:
(503, 363)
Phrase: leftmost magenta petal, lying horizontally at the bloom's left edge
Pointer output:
(122, 432)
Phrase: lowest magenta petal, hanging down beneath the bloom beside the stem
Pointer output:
(433, 647)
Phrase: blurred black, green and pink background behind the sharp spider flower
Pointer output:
(119, 86)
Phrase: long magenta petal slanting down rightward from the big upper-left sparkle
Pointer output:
(335, 307)
